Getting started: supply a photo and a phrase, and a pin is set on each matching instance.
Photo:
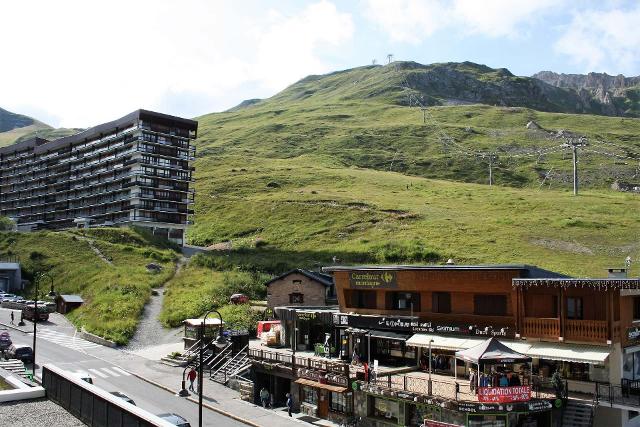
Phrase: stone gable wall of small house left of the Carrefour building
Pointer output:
(278, 291)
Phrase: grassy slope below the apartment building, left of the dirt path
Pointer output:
(105, 266)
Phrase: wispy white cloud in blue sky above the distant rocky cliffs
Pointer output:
(603, 40)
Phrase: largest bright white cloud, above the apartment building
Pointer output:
(89, 62)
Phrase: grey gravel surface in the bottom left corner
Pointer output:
(36, 413)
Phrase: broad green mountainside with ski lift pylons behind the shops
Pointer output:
(333, 166)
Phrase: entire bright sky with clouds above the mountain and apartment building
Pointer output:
(80, 63)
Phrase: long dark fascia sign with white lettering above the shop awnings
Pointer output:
(406, 324)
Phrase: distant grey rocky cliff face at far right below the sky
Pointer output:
(614, 95)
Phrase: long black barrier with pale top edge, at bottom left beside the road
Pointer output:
(92, 405)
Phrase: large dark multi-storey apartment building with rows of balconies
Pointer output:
(135, 170)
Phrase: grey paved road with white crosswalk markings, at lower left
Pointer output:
(58, 347)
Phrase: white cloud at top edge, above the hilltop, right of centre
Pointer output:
(414, 20)
